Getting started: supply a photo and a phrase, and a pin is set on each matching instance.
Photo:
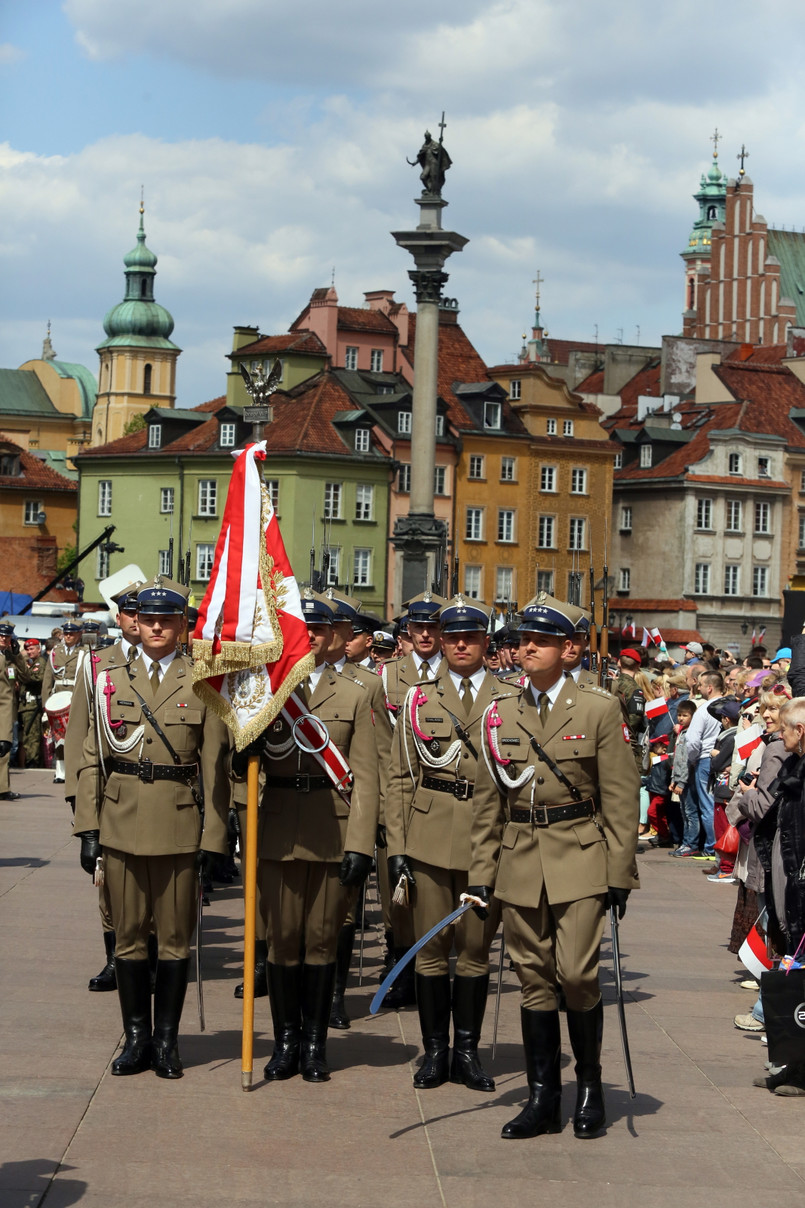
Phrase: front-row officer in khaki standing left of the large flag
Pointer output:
(140, 799)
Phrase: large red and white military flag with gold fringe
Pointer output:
(251, 644)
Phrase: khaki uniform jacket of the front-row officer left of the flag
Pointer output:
(159, 818)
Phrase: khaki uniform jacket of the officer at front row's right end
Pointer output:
(570, 859)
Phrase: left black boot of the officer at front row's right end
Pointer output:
(542, 1042)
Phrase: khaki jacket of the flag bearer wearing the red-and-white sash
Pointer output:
(320, 826)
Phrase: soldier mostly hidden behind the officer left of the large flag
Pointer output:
(79, 725)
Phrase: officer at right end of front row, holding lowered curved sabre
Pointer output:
(554, 838)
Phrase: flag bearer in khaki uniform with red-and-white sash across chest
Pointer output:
(315, 843)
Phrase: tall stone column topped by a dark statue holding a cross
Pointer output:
(420, 539)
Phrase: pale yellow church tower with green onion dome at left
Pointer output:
(138, 359)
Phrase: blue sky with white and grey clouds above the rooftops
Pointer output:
(271, 141)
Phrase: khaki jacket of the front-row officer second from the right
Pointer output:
(433, 826)
